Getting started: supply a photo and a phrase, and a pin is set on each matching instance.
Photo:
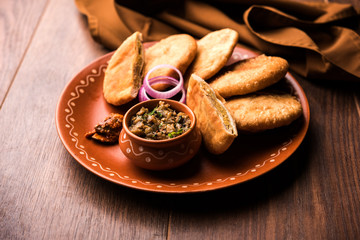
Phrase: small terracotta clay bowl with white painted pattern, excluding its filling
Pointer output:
(160, 154)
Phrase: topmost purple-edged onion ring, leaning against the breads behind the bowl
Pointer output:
(163, 94)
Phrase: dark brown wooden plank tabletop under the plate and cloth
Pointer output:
(46, 194)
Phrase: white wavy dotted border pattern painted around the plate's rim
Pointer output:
(80, 89)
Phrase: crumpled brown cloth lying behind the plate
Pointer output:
(318, 39)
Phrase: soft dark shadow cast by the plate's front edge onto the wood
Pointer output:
(255, 193)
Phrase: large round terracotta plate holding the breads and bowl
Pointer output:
(82, 105)
